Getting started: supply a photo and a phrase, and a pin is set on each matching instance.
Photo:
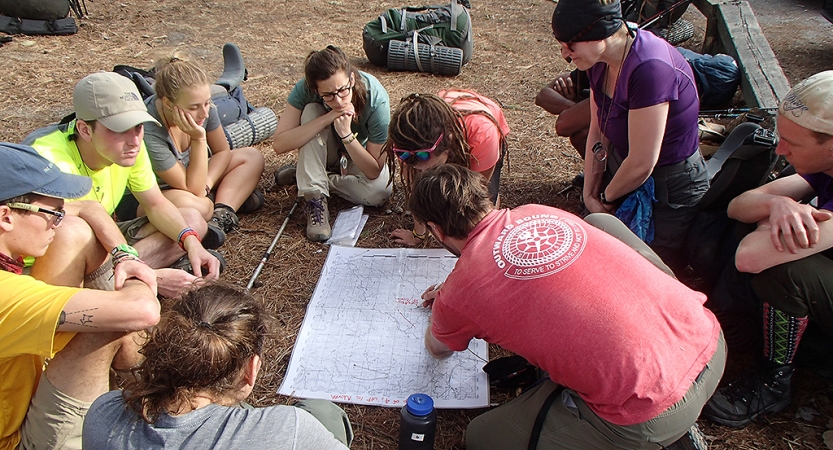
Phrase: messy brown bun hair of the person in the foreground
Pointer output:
(201, 344)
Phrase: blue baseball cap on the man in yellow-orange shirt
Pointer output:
(24, 171)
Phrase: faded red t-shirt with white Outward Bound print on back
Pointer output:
(580, 304)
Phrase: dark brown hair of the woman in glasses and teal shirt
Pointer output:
(322, 64)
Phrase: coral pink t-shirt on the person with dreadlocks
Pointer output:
(482, 135)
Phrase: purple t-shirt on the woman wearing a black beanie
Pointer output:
(654, 72)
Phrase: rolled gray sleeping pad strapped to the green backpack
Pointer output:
(436, 59)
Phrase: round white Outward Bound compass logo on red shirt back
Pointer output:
(539, 245)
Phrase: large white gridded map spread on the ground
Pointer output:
(362, 337)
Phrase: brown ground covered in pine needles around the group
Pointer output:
(514, 56)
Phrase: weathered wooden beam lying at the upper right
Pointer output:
(763, 81)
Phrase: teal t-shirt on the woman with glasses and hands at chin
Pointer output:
(373, 122)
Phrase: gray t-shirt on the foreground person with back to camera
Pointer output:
(110, 424)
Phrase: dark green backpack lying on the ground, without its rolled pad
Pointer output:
(444, 25)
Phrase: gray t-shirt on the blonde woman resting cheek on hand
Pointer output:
(161, 149)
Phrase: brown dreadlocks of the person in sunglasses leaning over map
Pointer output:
(417, 123)
